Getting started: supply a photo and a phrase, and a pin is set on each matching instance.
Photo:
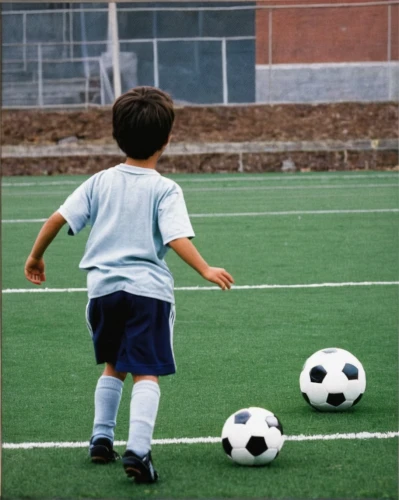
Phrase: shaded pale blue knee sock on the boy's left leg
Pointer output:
(106, 404)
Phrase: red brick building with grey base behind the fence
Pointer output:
(306, 53)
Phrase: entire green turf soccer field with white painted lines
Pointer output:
(235, 349)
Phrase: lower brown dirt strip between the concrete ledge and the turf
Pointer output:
(252, 162)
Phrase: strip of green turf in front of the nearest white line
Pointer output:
(330, 469)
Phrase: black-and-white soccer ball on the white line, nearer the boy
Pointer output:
(252, 436)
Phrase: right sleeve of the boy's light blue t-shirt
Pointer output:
(173, 219)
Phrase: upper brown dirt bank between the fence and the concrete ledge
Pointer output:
(288, 122)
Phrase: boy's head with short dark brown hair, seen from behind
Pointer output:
(142, 120)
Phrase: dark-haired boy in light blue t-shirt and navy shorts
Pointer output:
(135, 215)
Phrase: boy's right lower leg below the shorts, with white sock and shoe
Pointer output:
(143, 412)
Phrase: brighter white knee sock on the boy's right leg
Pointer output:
(143, 413)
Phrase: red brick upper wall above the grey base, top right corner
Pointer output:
(326, 35)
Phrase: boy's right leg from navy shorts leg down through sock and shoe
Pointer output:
(148, 348)
